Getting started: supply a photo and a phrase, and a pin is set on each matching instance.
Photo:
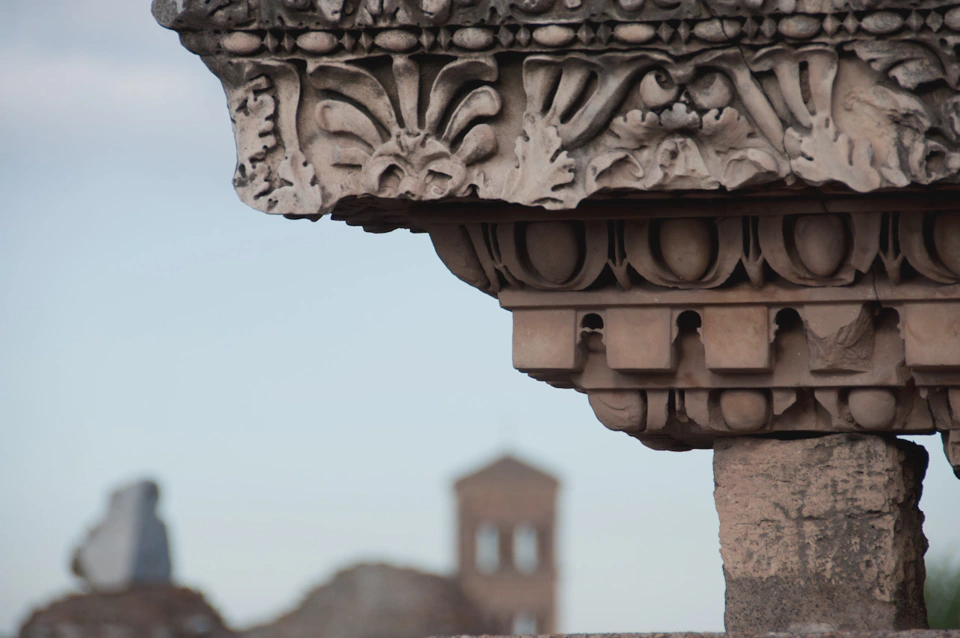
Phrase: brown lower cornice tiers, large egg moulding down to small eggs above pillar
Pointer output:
(683, 330)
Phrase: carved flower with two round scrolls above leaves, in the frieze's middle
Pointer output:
(698, 139)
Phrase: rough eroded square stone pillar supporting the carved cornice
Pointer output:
(821, 533)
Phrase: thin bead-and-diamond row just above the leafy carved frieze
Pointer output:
(589, 35)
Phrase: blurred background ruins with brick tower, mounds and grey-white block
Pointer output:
(505, 581)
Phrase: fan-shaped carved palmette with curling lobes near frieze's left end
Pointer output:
(410, 151)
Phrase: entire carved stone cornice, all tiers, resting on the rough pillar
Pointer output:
(713, 217)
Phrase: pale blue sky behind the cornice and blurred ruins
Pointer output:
(303, 392)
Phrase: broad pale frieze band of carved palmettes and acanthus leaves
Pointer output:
(425, 128)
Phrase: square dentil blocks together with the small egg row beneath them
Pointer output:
(679, 371)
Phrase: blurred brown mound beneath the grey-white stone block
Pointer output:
(149, 611)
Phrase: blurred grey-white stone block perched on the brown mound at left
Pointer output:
(129, 547)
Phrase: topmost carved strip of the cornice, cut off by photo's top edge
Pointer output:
(874, 16)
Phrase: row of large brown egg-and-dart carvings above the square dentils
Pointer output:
(702, 252)
